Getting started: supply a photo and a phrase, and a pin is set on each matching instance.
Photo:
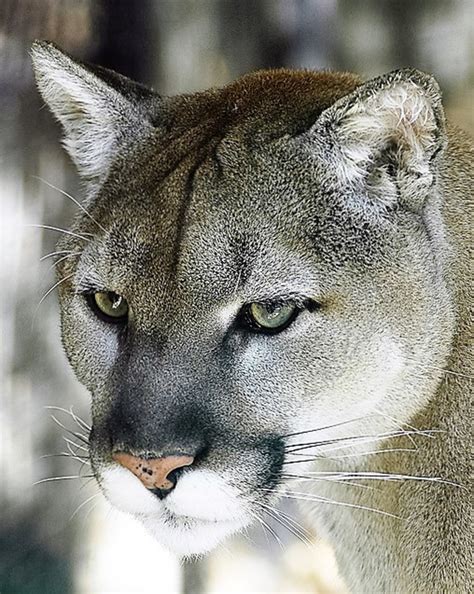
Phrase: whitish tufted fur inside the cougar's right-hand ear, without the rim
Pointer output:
(396, 128)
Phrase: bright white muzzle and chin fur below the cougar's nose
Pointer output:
(194, 518)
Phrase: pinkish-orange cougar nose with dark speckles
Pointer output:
(157, 474)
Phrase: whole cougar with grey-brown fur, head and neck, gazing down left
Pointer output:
(267, 294)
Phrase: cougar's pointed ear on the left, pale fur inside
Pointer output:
(95, 106)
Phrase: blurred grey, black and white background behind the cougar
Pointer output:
(60, 536)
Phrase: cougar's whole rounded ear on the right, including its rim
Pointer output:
(382, 140)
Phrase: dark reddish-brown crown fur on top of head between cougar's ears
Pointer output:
(287, 101)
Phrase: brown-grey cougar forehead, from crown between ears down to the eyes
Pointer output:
(207, 197)
